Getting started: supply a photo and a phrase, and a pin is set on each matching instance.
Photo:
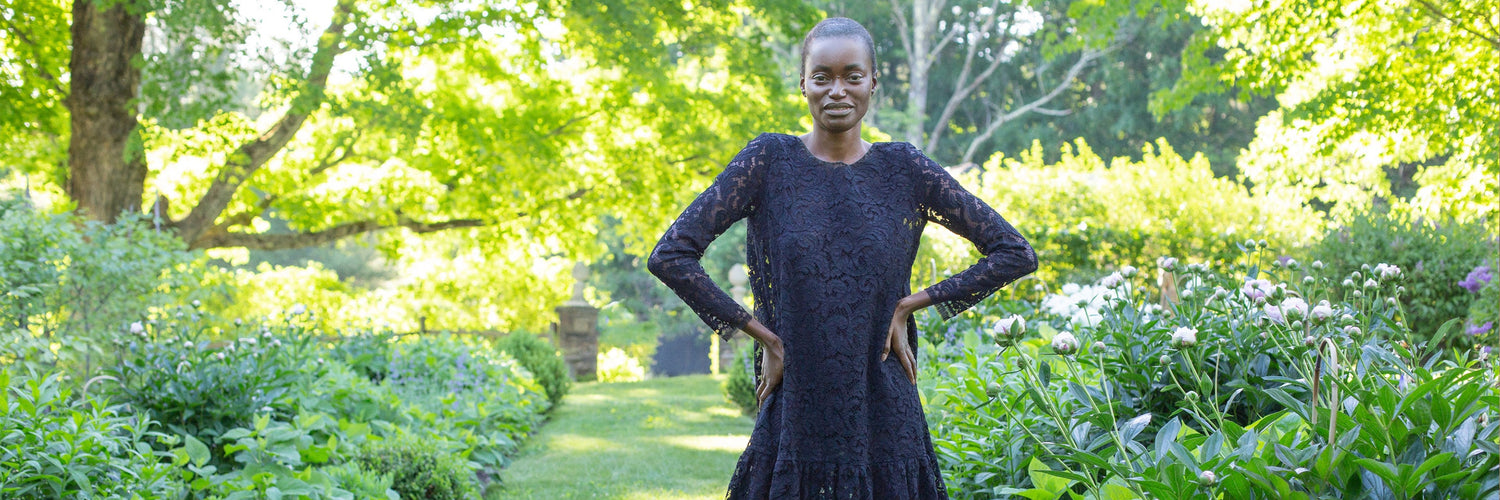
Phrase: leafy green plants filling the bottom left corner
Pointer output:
(59, 447)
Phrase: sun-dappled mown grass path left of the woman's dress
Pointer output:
(658, 439)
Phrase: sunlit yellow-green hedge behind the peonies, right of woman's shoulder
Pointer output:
(1085, 215)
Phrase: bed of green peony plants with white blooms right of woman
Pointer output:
(1261, 381)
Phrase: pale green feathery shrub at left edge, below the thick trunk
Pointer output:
(79, 285)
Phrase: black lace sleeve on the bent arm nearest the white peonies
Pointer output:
(1007, 255)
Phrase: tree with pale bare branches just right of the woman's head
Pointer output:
(970, 70)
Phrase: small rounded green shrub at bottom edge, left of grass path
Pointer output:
(419, 469)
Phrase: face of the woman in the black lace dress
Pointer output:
(838, 80)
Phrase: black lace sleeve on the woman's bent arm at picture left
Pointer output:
(734, 196)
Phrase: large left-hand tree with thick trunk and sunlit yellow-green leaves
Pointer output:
(512, 121)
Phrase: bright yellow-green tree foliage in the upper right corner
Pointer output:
(1366, 86)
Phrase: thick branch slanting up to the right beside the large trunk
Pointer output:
(253, 155)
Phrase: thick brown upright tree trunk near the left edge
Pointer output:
(106, 157)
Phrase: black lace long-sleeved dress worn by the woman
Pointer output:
(830, 250)
